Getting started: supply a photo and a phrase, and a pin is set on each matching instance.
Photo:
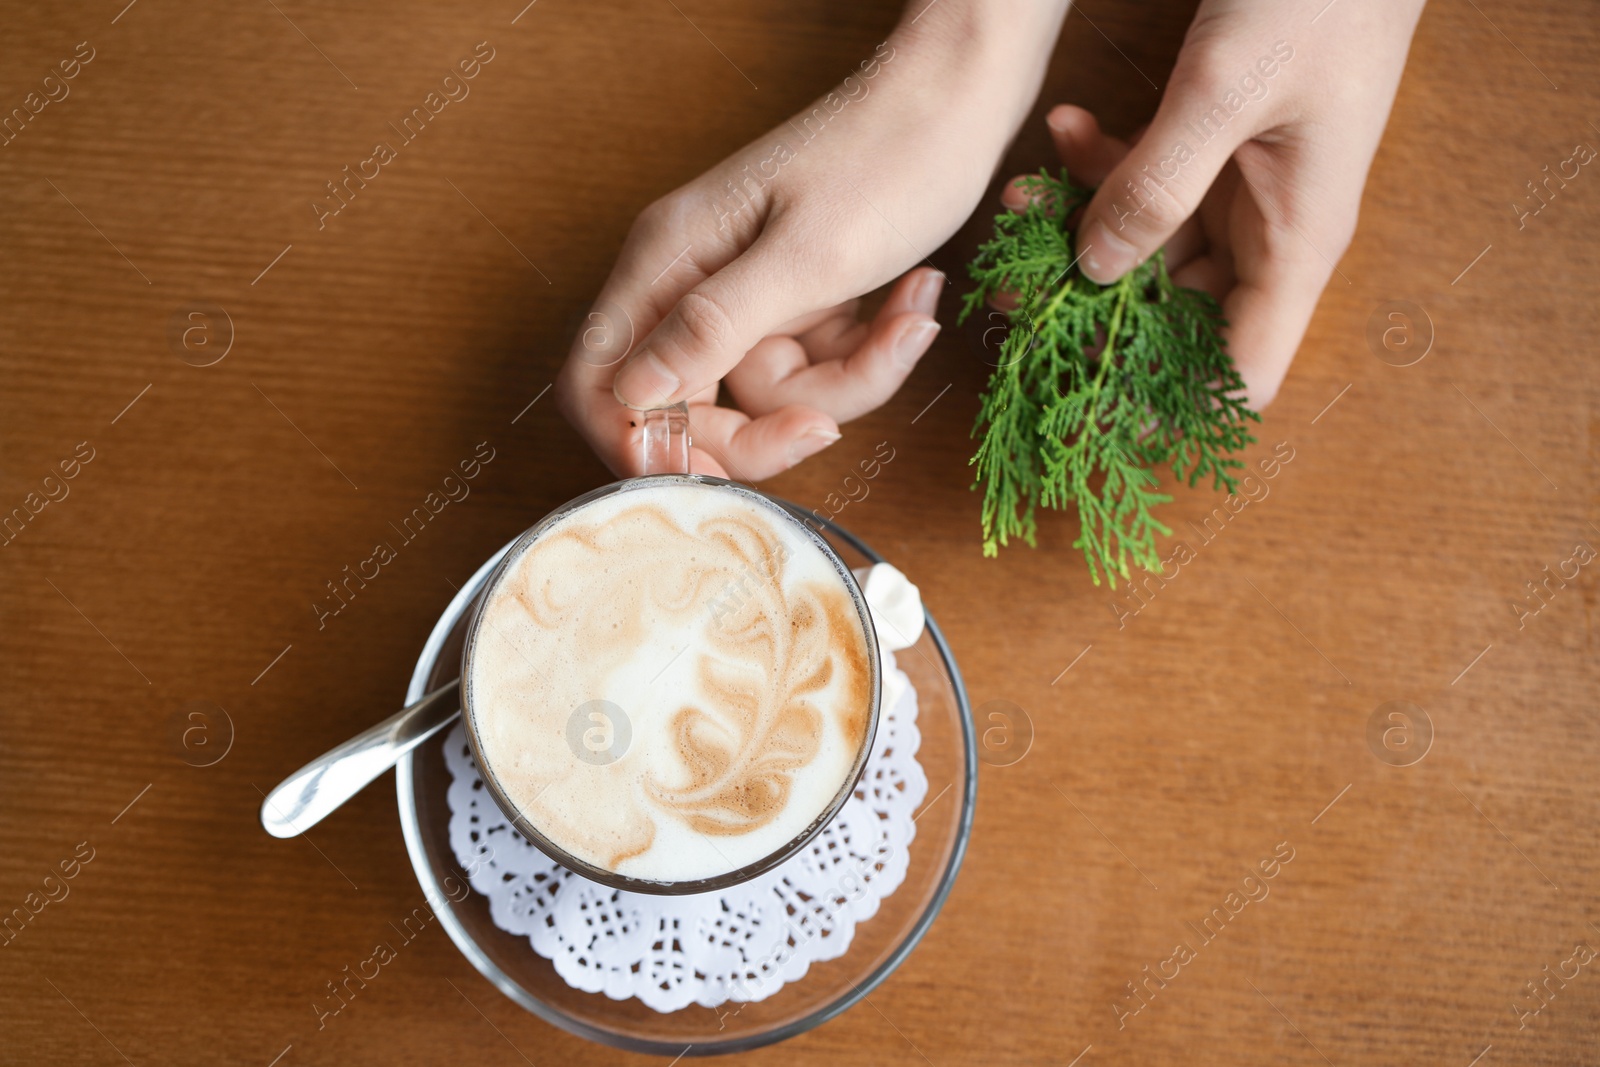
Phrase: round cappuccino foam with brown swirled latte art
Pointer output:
(673, 682)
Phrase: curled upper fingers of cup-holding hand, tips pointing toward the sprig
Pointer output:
(785, 372)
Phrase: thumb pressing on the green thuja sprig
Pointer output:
(1158, 186)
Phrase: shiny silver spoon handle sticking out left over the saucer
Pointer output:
(310, 794)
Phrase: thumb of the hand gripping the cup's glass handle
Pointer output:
(710, 330)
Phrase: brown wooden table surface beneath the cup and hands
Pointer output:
(1225, 724)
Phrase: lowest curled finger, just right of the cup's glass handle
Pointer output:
(729, 444)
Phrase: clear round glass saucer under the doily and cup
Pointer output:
(948, 754)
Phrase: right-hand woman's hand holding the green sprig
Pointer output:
(1252, 172)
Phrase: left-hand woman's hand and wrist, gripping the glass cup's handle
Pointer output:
(750, 274)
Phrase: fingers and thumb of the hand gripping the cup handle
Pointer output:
(700, 327)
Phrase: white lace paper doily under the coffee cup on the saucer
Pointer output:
(735, 946)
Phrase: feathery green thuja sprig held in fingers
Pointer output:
(1095, 388)
